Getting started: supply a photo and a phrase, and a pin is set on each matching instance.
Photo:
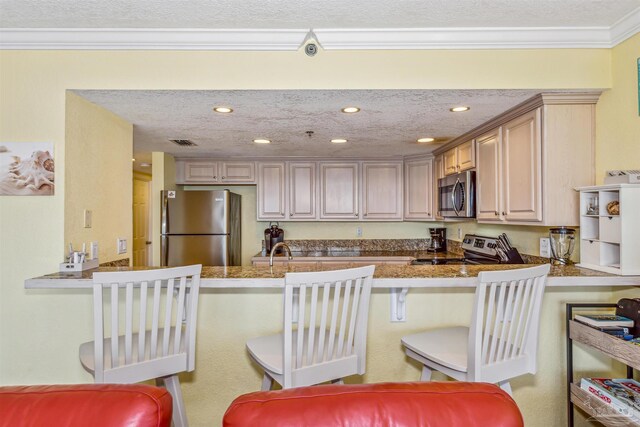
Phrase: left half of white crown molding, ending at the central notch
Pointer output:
(149, 39)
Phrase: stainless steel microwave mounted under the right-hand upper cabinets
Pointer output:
(456, 195)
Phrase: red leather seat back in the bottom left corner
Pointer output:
(96, 405)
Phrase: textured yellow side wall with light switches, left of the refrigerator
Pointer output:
(100, 147)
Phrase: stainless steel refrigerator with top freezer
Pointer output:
(200, 227)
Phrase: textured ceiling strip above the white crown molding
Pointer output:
(284, 14)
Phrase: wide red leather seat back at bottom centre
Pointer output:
(429, 404)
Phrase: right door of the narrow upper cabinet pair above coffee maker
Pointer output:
(302, 190)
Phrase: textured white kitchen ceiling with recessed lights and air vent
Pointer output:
(388, 124)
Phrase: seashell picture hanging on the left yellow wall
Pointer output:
(26, 169)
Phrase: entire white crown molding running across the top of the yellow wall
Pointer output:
(330, 39)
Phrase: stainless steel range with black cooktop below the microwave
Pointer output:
(480, 250)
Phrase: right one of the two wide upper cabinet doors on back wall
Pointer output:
(381, 190)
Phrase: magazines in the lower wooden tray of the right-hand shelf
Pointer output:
(620, 398)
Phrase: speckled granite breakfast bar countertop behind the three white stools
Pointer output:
(386, 276)
